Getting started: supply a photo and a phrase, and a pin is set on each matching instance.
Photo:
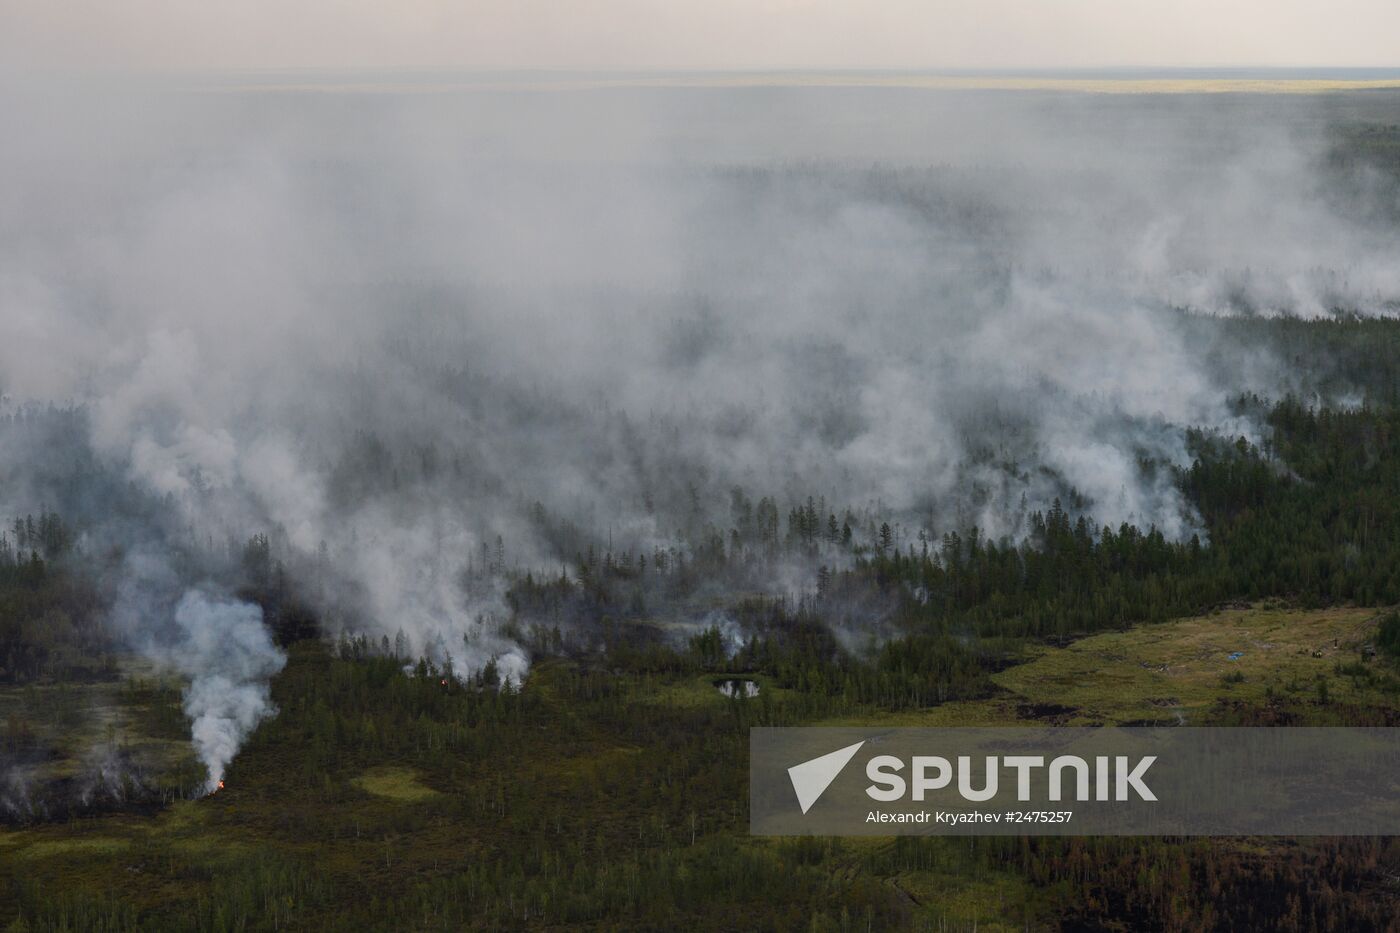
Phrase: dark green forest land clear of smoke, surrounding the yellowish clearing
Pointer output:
(608, 787)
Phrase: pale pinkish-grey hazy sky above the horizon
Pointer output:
(696, 34)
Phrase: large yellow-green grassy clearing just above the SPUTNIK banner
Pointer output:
(1182, 673)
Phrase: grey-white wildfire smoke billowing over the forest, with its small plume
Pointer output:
(384, 327)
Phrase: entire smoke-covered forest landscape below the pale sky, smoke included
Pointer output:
(414, 494)
